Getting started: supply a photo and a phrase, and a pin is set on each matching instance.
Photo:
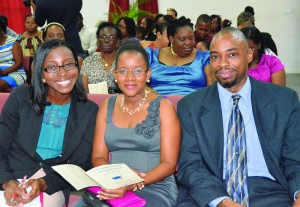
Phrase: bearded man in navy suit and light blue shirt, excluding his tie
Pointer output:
(271, 116)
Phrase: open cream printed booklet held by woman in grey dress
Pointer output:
(111, 176)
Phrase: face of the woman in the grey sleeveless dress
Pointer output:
(132, 84)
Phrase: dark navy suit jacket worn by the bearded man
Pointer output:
(276, 113)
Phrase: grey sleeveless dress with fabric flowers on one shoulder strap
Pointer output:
(139, 148)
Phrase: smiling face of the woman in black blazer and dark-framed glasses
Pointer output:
(60, 84)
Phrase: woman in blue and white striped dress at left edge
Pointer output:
(12, 73)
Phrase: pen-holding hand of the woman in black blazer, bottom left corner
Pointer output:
(11, 188)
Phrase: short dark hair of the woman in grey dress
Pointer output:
(132, 46)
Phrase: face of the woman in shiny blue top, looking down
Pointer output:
(183, 41)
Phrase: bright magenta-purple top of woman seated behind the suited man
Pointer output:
(267, 66)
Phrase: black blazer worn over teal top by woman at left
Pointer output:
(19, 133)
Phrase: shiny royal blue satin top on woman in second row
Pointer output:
(177, 80)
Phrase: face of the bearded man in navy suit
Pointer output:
(229, 58)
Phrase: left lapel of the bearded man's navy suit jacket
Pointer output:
(211, 131)
